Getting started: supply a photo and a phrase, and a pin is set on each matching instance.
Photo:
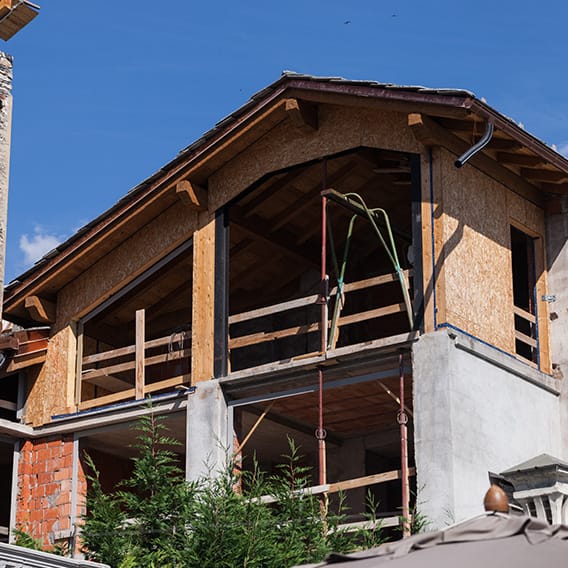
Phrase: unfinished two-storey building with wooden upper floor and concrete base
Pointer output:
(378, 272)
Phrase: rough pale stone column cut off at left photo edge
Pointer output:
(5, 139)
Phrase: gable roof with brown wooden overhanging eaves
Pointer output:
(451, 118)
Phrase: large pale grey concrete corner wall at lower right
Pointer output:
(476, 410)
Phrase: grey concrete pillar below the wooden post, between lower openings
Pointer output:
(207, 447)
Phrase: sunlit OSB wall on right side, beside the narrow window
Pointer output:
(473, 244)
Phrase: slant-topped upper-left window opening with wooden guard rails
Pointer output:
(139, 342)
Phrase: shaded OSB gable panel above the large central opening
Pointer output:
(340, 128)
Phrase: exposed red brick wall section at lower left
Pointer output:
(45, 476)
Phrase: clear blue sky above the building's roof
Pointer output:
(107, 92)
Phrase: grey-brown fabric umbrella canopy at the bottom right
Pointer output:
(489, 541)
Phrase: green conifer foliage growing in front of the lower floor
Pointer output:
(156, 519)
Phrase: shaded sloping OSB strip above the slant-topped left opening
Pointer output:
(127, 261)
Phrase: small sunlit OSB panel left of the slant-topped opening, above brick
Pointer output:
(51, 390)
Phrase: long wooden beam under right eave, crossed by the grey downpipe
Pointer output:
(431, 133)
